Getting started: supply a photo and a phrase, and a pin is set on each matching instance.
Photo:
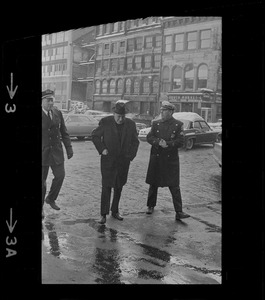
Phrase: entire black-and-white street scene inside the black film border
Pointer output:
(132, 157)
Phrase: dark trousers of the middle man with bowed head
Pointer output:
(105, 200)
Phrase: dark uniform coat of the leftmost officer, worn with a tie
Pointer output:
(52, 132)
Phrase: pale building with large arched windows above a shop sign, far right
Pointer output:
(191, 67)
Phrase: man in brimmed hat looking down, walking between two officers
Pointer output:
(116, 140)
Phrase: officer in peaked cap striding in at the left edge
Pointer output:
(53, 130)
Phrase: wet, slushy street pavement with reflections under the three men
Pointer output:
(141, 249)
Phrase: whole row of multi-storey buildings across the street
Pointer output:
(144, 61)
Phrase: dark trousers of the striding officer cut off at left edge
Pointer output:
(59, 174)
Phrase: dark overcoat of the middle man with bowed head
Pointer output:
(115, 165)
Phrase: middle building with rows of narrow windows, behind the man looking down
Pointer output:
(127, 65)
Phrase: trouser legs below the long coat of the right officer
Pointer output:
(176, 197)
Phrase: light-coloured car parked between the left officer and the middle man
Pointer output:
(79, 125)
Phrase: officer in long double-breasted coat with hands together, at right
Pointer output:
(166, 136)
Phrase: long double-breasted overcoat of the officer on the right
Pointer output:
(163, 168)
